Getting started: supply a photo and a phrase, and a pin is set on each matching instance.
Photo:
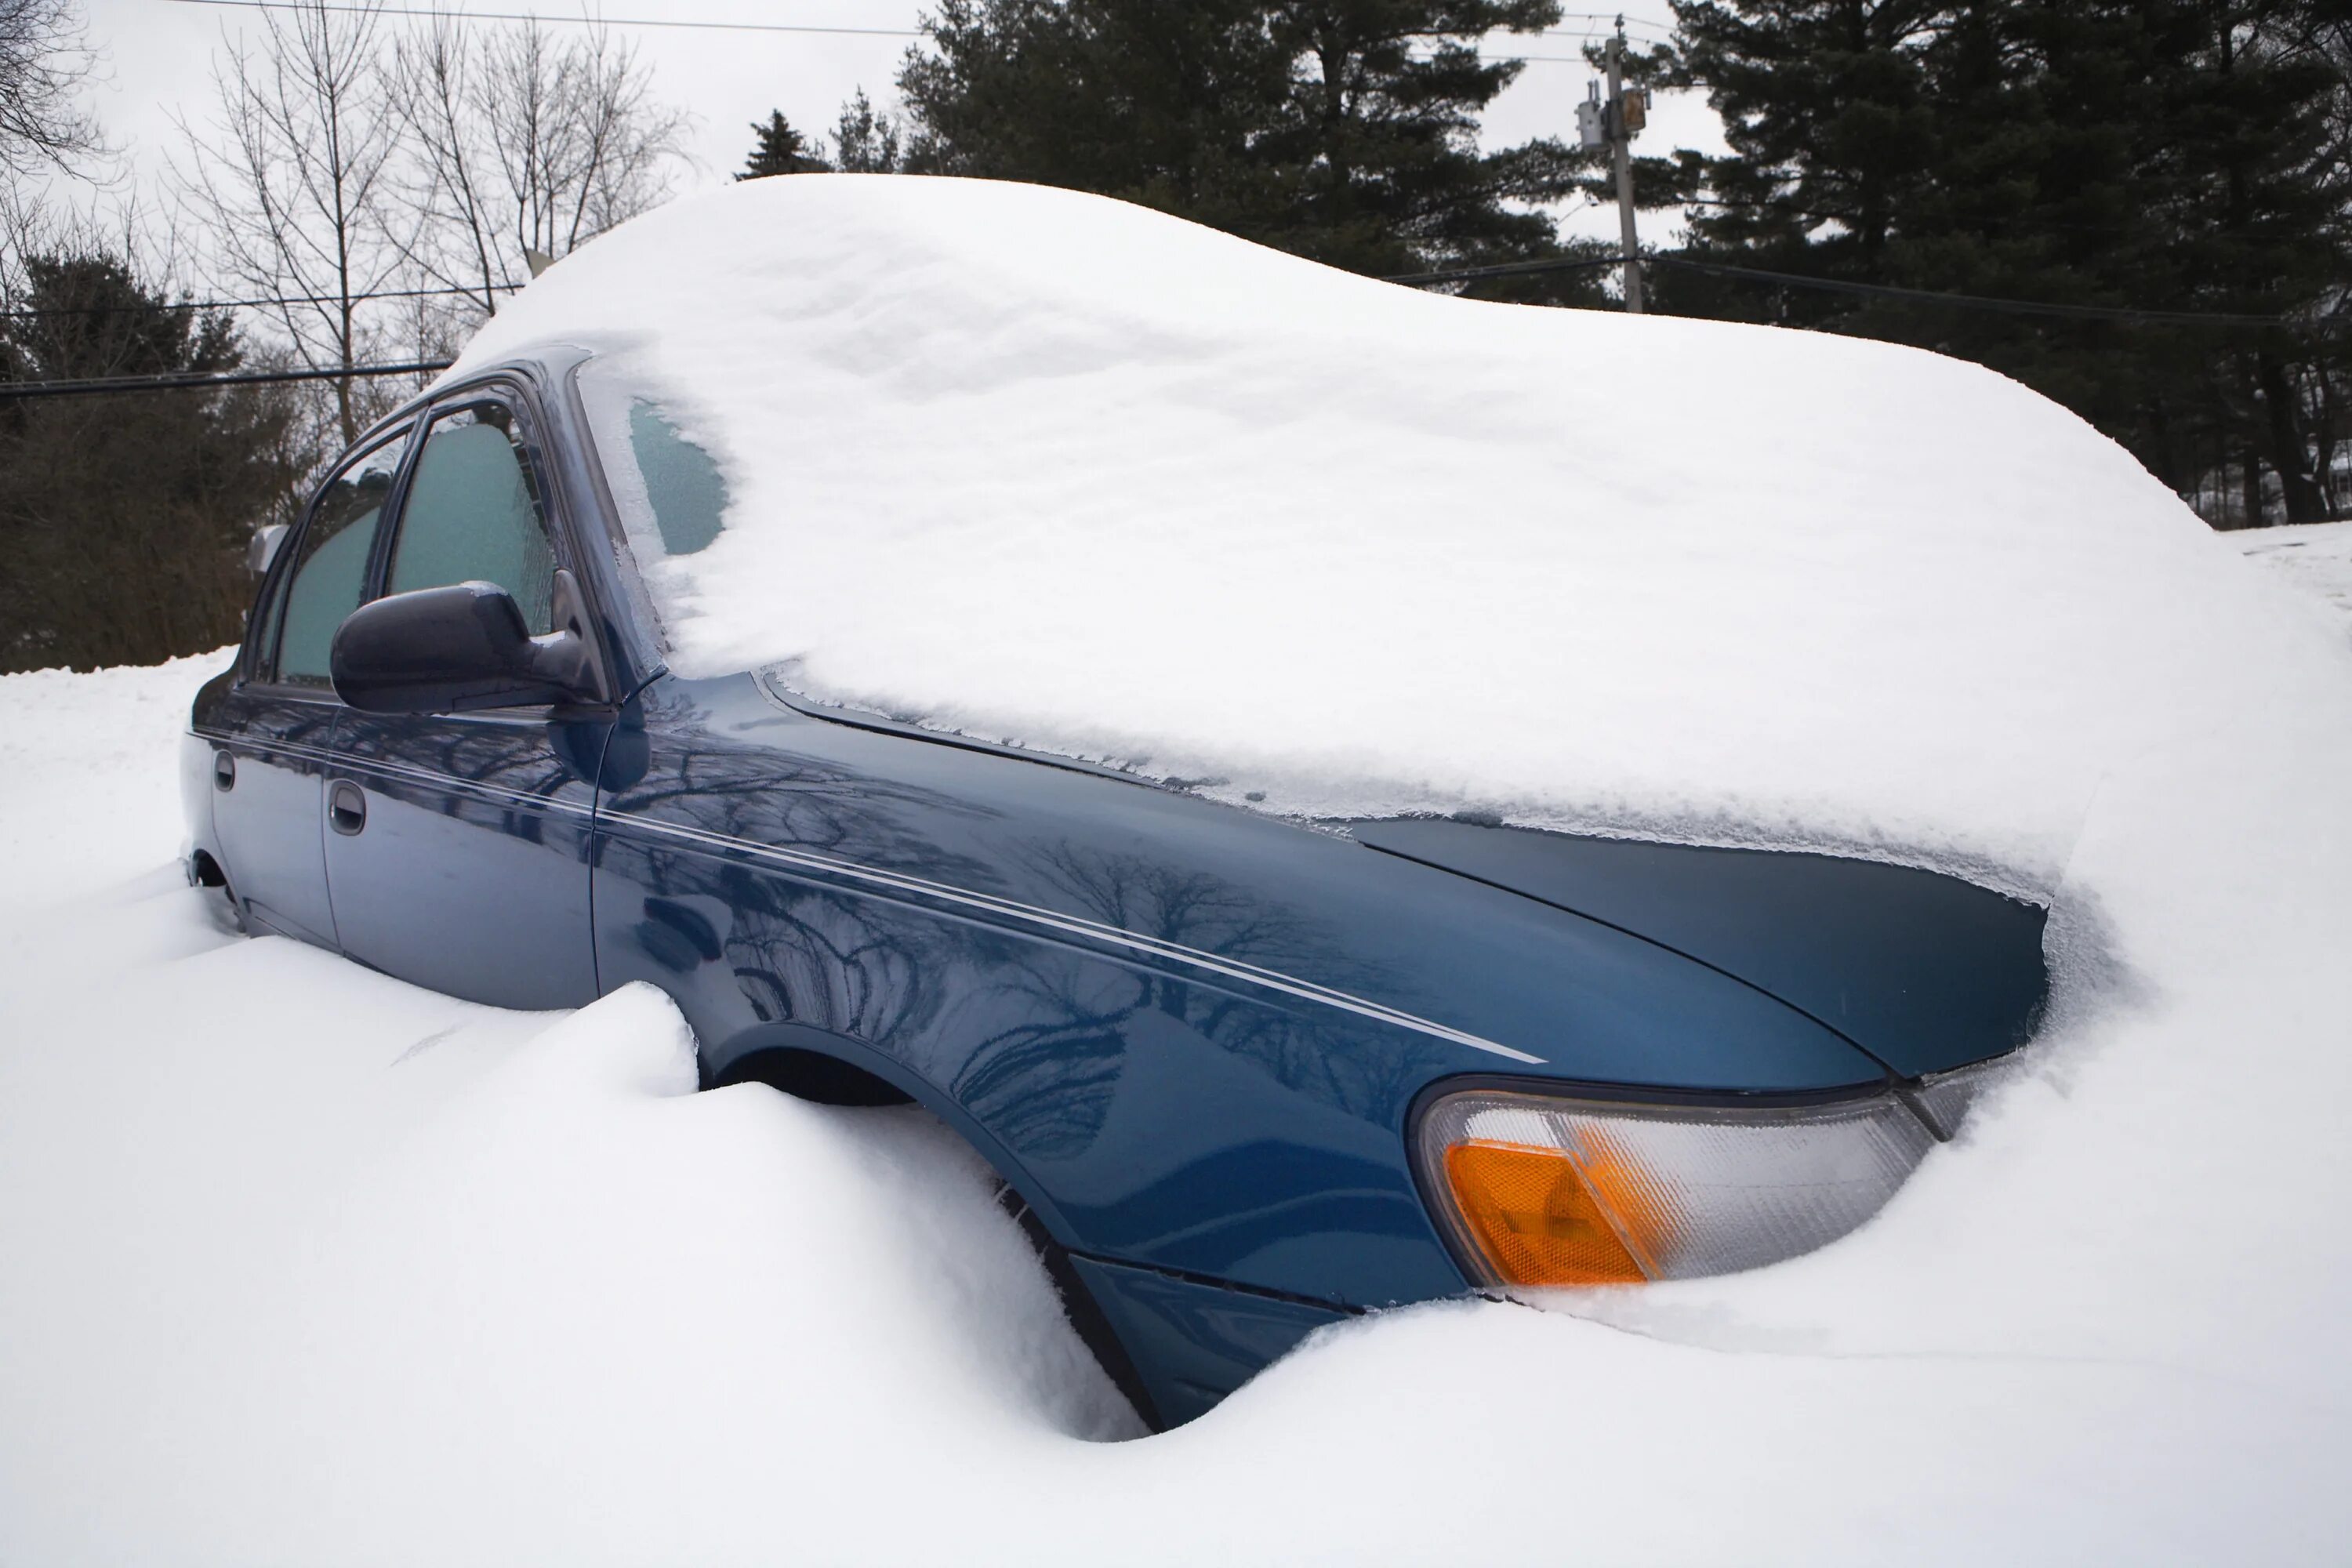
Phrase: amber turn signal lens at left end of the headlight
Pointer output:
(1535, 1219)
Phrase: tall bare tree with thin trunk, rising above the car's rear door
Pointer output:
(293, 182)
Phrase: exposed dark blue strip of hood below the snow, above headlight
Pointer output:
(1918, 970)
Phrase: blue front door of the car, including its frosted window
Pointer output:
(457, 845)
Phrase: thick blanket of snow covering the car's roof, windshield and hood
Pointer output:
(1064, 471)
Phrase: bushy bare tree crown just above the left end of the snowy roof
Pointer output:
(526, 145)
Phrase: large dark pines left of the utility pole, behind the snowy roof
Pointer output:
(1342, 130)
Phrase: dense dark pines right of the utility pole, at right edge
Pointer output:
(2163, 156)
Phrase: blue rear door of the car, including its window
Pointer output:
(274, 730)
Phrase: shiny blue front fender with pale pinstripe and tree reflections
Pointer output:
(1017, 939)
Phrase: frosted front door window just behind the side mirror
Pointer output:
(476, 514)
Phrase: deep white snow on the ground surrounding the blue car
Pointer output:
(300, 1266)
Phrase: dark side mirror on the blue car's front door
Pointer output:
(457, 650)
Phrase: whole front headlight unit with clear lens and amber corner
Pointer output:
(1544, 1191)
